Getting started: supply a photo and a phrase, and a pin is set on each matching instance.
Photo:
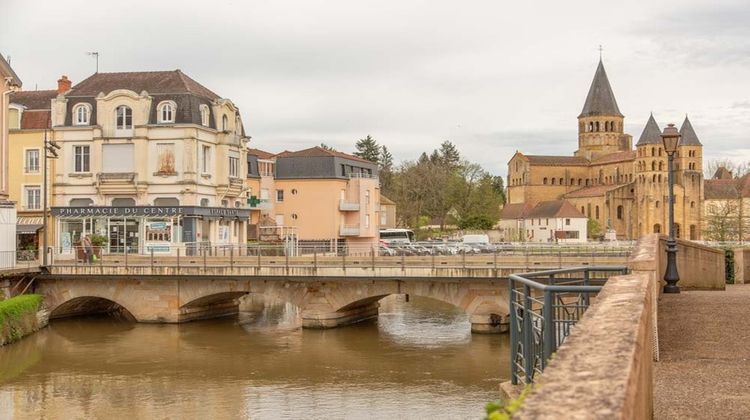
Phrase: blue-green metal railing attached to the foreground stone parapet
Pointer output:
(544, 308)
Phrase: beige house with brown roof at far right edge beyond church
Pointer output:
(727, 207)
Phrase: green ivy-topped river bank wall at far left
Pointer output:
(20, 316)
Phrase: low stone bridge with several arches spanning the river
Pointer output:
(328, 292)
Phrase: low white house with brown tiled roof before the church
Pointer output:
(548, 222)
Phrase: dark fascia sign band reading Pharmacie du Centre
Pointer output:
(157, 211)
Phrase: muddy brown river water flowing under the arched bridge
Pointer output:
(418, 360)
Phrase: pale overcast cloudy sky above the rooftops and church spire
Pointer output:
(492, 77)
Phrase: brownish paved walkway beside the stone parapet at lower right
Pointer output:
(704, 372)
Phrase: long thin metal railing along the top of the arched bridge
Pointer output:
(312, 255)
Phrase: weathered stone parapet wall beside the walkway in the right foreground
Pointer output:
(605, 367)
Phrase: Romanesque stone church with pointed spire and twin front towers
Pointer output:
(621, 188)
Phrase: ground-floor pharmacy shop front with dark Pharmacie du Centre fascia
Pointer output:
(147, 229)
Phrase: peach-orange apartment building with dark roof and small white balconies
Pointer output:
(323, 199)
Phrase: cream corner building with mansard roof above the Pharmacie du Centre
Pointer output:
(150, 162)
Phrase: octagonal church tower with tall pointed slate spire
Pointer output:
(600, 125)
